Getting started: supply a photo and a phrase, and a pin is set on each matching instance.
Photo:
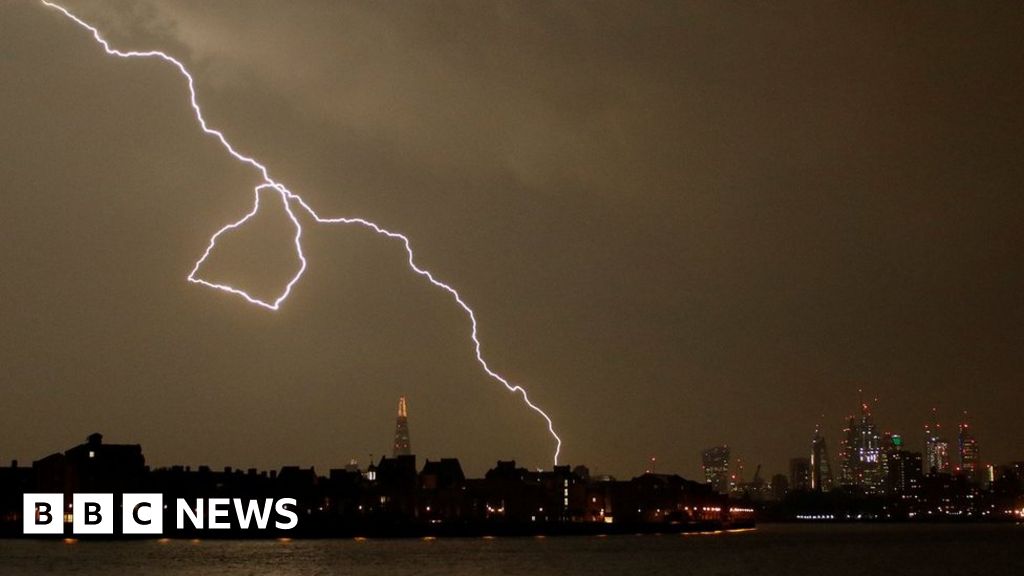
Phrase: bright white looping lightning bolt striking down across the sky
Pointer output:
(292, 203)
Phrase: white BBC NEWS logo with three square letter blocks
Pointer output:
(144, 514)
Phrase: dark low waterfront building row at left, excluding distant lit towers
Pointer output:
(398, 501)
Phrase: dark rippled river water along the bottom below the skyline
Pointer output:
(789, 550)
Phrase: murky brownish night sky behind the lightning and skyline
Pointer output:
(679, 225)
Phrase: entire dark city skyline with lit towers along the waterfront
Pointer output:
(900, 489)
